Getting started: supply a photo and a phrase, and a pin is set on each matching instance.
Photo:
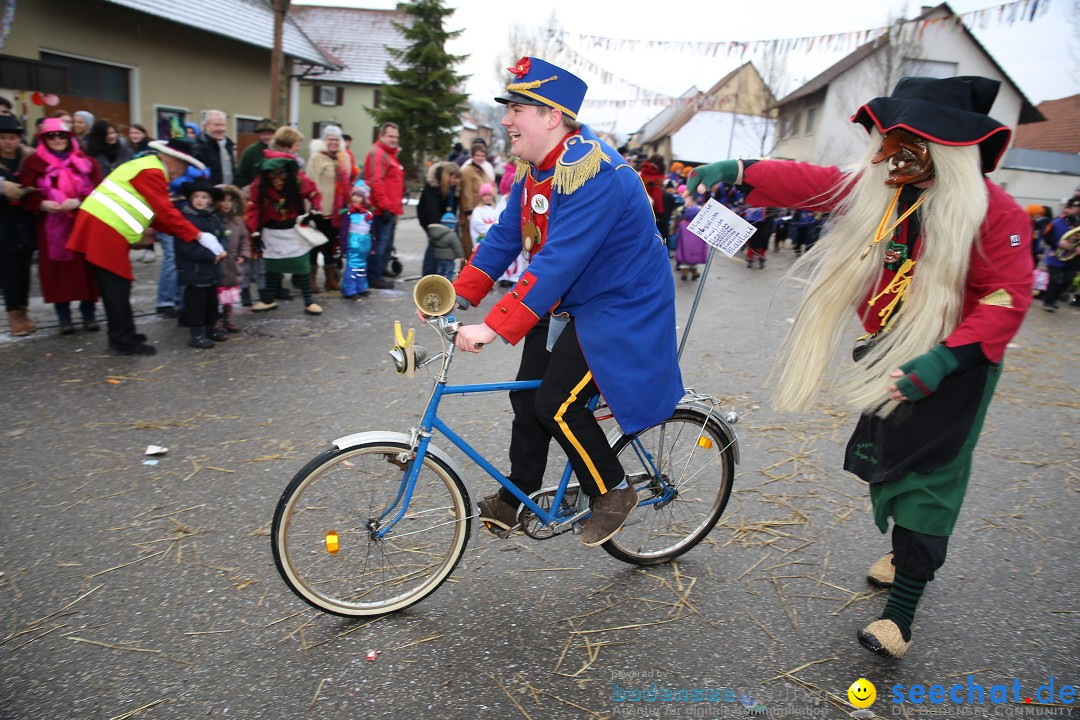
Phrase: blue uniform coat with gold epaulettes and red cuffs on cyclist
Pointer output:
(585, 219)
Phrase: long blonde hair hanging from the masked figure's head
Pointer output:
(815, 357)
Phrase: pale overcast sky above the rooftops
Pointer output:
(1036, 56)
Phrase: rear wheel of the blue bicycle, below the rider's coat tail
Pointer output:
(683, 470)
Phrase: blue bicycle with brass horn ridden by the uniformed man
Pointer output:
(381, 521)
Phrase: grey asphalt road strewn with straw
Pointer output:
(145, 591)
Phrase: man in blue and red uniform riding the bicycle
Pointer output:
(596, 307)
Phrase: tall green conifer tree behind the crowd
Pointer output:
(423, 96)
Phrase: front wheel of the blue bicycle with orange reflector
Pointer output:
(326, 525)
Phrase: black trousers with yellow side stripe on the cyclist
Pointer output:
(558, 410)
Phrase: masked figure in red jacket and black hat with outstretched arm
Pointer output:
(936, 261)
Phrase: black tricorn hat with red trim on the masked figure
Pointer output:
(948, 112)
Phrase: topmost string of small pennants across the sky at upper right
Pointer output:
(1008, 13)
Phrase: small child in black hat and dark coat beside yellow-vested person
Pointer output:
(198, 268)
